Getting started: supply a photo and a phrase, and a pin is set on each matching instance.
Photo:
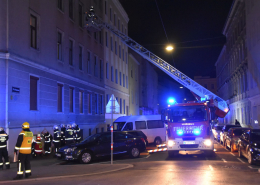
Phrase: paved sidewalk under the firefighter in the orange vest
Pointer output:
(54, 171)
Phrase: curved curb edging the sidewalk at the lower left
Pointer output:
(67, 176)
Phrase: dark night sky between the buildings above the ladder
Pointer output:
(194, 26)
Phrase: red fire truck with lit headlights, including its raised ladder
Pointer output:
(188, 124)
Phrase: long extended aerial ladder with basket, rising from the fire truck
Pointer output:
(95, 23)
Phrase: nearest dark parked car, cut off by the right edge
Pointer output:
(249, 145)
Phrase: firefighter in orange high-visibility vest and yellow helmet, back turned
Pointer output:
(24, 146)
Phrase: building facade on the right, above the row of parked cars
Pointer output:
(238, 64)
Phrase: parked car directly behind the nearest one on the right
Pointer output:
(233, 137)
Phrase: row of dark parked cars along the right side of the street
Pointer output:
(236, 138)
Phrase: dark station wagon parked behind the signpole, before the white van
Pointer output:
(99, 145)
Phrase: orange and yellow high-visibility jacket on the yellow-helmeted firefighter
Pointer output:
(24, 142)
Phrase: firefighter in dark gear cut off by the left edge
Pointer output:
(3, 149)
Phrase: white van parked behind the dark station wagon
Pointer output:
(151, 125)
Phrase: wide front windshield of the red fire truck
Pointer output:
(187, 113)
